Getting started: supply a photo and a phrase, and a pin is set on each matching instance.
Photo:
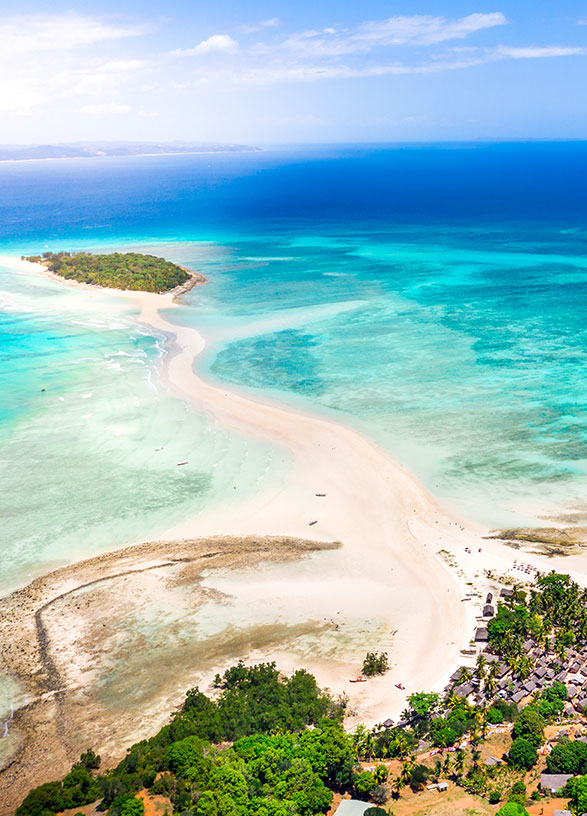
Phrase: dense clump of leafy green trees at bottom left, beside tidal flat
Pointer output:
(276, 766)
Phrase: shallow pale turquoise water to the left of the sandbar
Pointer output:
(90, 439)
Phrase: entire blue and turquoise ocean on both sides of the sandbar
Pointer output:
(433, 297)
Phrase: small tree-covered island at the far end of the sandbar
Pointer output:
(119, 270)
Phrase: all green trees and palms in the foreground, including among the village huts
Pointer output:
(273, 746)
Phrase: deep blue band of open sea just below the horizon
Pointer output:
(169, 195)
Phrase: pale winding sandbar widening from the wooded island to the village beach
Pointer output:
(401, 561)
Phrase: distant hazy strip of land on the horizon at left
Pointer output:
(91, 150)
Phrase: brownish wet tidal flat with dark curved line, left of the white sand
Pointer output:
(104, 650)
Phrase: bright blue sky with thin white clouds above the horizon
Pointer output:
(262, 72)
